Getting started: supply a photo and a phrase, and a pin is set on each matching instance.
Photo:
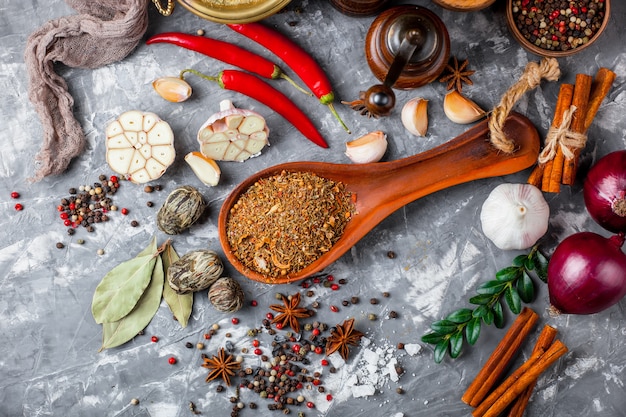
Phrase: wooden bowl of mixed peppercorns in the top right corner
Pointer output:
(557, 29)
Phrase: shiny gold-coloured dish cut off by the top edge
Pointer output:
(233, 11)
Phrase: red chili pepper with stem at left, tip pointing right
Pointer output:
(261, 91)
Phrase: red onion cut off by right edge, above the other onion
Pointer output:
(605, 192)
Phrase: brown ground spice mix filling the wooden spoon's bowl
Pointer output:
(283, 223)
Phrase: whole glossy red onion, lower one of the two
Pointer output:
(587, 273)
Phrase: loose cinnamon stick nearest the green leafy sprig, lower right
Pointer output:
(500, 358)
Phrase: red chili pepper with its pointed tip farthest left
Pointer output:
(225, 52)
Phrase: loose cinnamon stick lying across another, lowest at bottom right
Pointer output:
(524, 379)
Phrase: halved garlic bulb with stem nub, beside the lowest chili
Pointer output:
(233, 134)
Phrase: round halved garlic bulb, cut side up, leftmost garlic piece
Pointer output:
(139, 146)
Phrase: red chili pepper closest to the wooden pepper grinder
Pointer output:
(296, 58)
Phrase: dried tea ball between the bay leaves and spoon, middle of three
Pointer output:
(195, 271)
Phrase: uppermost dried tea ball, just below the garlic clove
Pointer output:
(182, 208)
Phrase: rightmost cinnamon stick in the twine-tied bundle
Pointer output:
(600, 87)
